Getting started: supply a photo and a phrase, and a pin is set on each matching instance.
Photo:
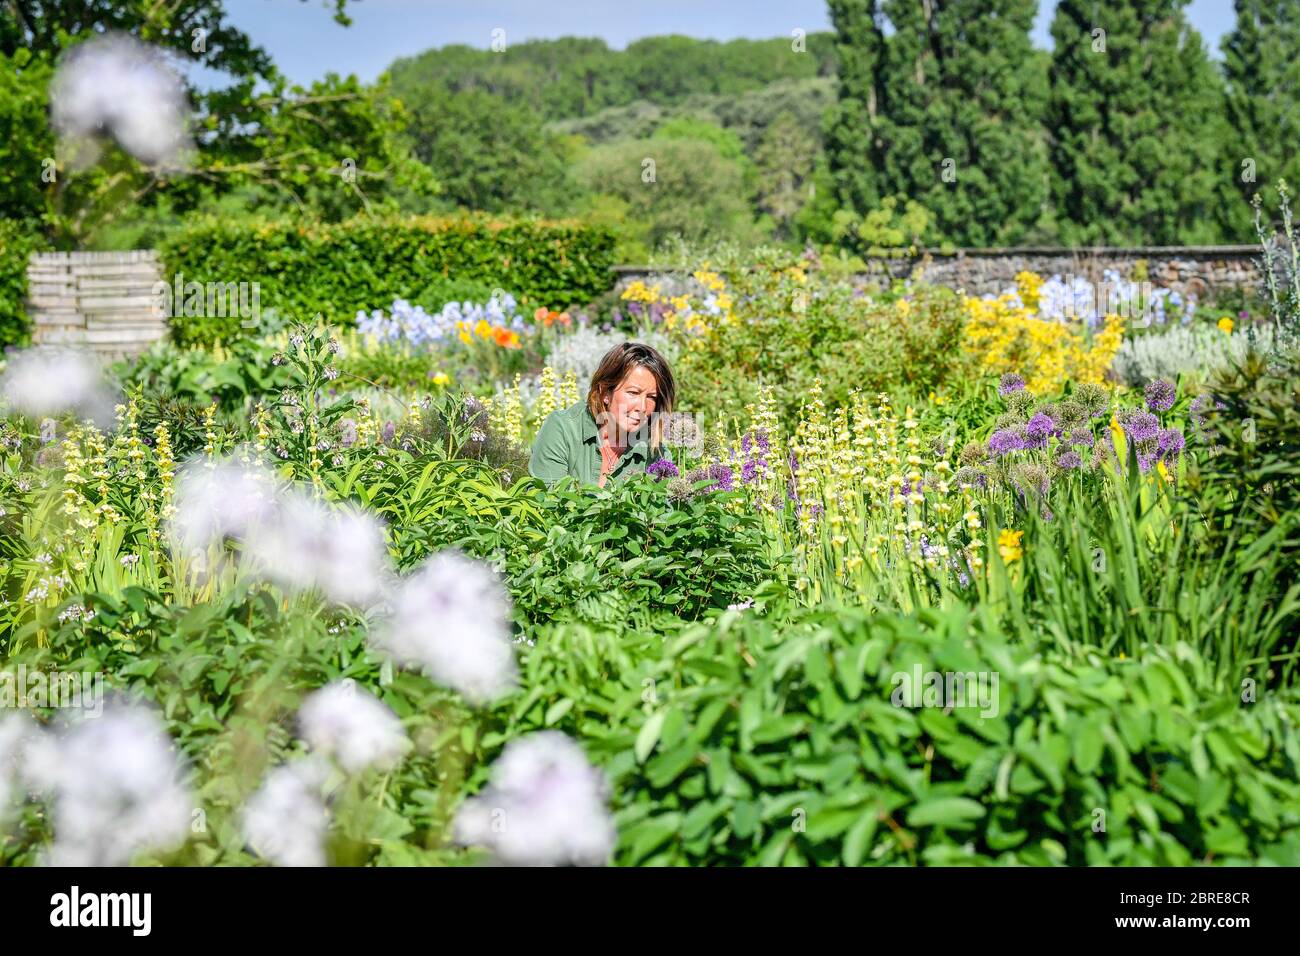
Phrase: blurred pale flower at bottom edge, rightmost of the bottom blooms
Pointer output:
(545, 807)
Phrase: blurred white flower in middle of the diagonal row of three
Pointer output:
(309, 546)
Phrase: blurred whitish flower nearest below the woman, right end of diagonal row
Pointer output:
(453, 620)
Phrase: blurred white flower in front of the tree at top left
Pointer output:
(118, 86)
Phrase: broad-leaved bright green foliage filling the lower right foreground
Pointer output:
(761, 739)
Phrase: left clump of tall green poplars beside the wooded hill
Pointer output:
(946, 110)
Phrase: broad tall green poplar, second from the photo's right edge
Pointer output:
(1137, 118)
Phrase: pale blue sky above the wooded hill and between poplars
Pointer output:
(306, 42)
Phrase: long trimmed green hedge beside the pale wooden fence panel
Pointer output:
(363, 265)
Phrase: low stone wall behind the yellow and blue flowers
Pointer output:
(1188, 270)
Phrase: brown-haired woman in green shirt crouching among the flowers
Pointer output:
(614, 434)
